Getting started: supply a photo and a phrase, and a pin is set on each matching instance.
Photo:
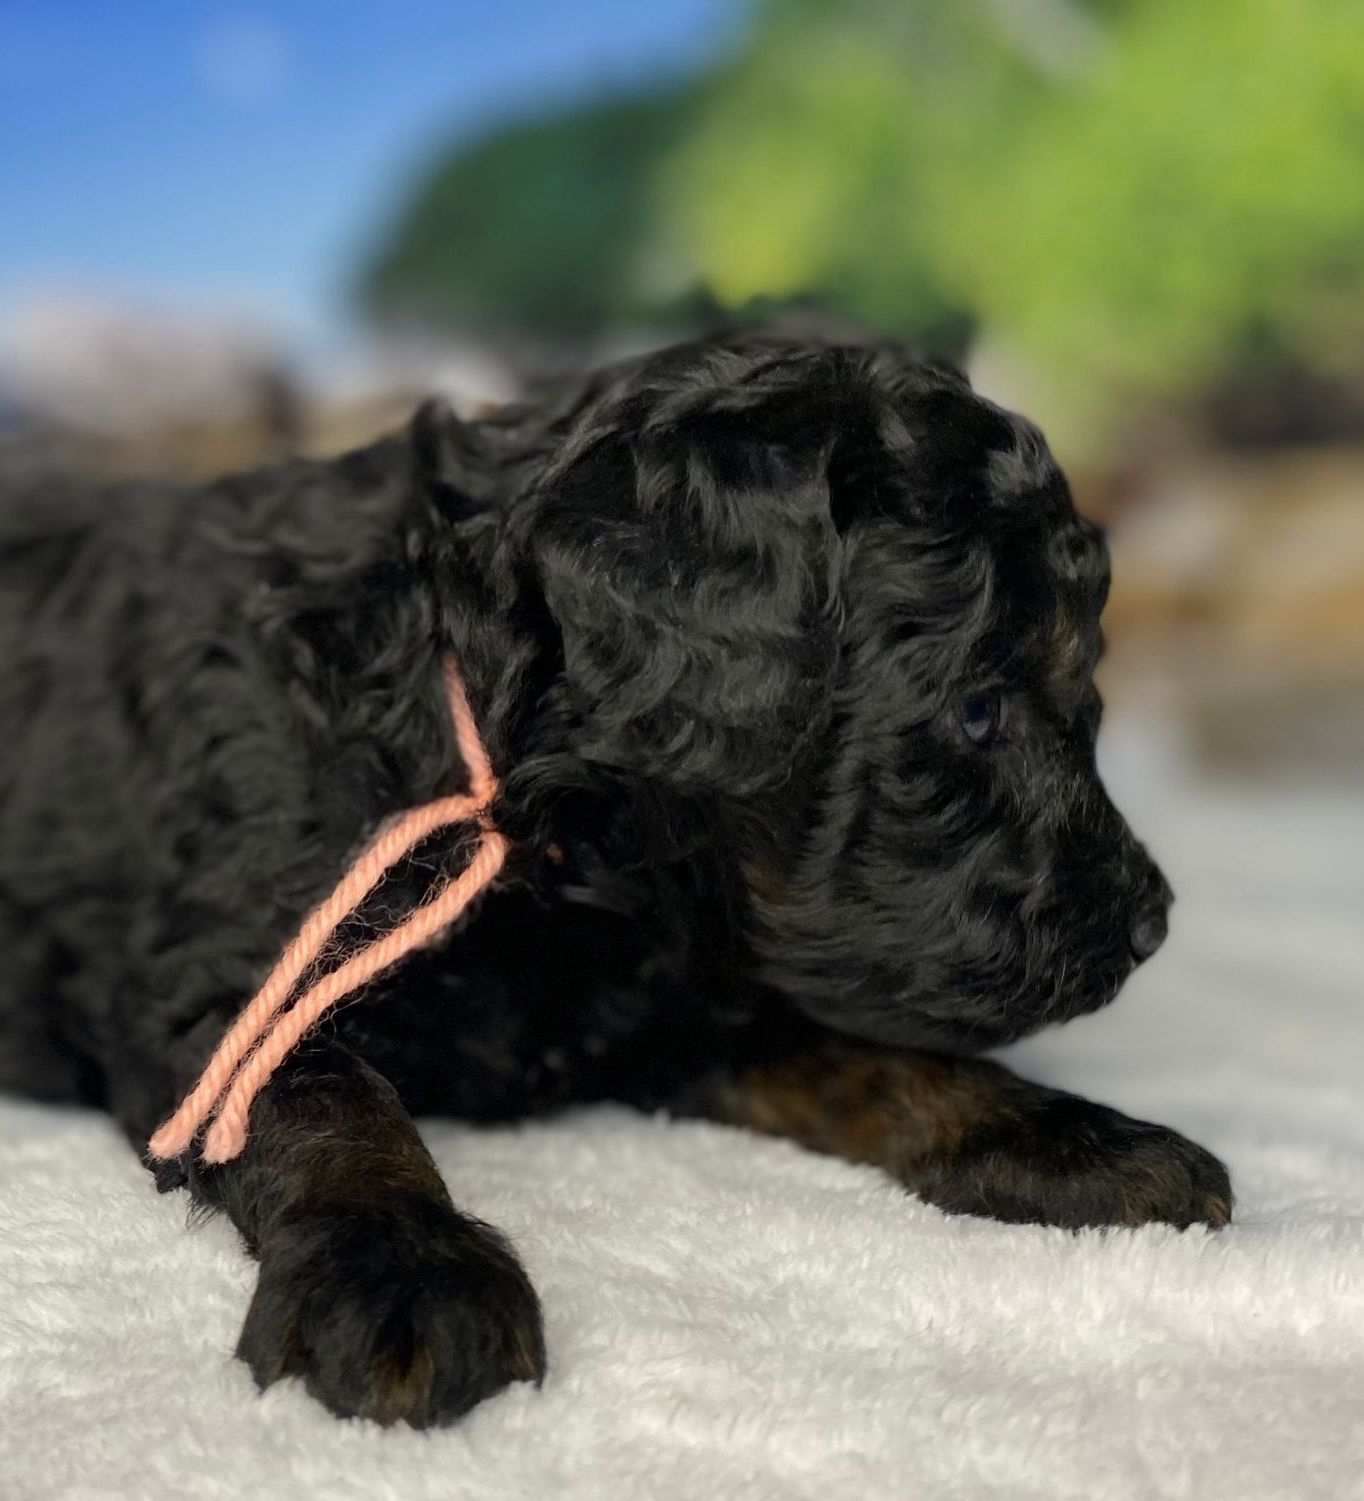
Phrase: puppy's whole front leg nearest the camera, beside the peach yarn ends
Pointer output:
(373, 1289)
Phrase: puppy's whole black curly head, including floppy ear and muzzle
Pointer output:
(841, 609)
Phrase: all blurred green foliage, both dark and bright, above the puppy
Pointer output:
(1129, 194)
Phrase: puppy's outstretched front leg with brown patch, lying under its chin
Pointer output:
(975, 1139)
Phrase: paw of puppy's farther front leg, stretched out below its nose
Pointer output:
(1065, 1161)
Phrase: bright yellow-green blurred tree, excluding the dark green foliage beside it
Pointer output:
(1138, 197)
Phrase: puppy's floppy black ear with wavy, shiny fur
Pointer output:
(693, 570)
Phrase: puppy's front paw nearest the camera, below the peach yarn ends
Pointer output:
(412, 1314)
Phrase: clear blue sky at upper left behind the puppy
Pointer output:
(242, 158)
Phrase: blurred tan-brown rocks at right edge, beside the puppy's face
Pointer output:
(1240, 579)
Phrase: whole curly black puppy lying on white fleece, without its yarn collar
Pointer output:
(784, 655)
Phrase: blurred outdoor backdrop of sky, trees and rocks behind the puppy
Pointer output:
(239, 232)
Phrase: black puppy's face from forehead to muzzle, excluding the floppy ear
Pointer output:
(964, 879)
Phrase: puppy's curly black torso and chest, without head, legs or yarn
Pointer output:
(214, 699)
